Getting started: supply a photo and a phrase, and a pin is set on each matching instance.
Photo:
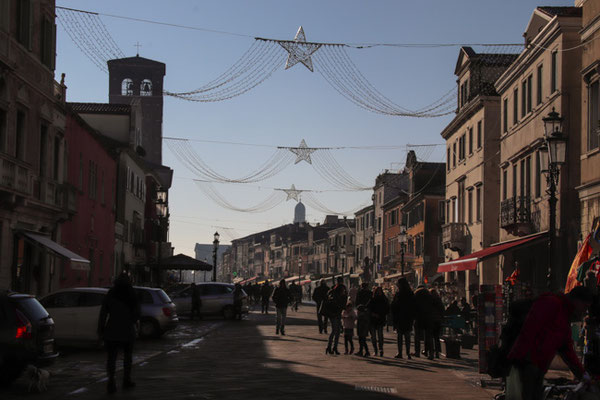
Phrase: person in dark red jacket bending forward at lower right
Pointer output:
(545, 332)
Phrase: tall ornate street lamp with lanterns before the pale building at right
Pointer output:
(556, 146)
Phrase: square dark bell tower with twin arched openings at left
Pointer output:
(138, 81)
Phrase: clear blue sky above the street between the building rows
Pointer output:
(293, 104)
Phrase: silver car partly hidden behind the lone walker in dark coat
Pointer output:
(76, 312)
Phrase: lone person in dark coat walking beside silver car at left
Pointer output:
(119, 315)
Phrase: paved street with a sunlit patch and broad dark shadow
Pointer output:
(232, 359)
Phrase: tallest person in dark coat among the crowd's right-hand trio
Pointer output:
(403, 312)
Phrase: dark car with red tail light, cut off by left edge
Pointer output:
(26, 335)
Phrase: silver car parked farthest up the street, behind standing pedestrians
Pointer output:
(216, 298)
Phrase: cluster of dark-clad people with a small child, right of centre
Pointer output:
(421, 311)
